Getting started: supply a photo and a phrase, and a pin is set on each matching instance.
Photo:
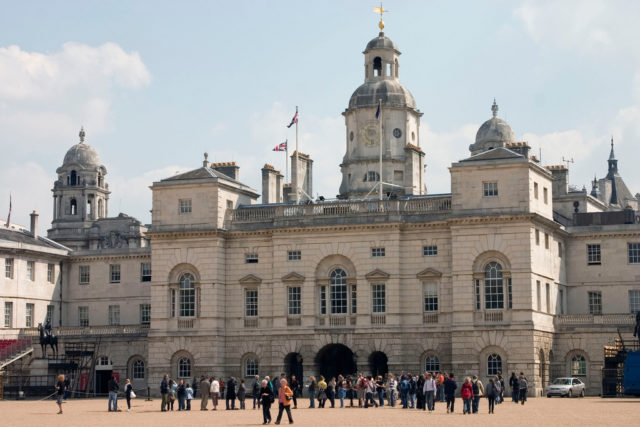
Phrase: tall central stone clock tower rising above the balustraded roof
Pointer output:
(396, 128)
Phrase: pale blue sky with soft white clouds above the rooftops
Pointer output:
(158, 83)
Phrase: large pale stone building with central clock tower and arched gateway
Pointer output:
(512, 271)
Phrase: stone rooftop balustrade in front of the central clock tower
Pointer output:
(341, 208)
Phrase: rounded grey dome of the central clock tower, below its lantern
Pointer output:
(391, 92)
